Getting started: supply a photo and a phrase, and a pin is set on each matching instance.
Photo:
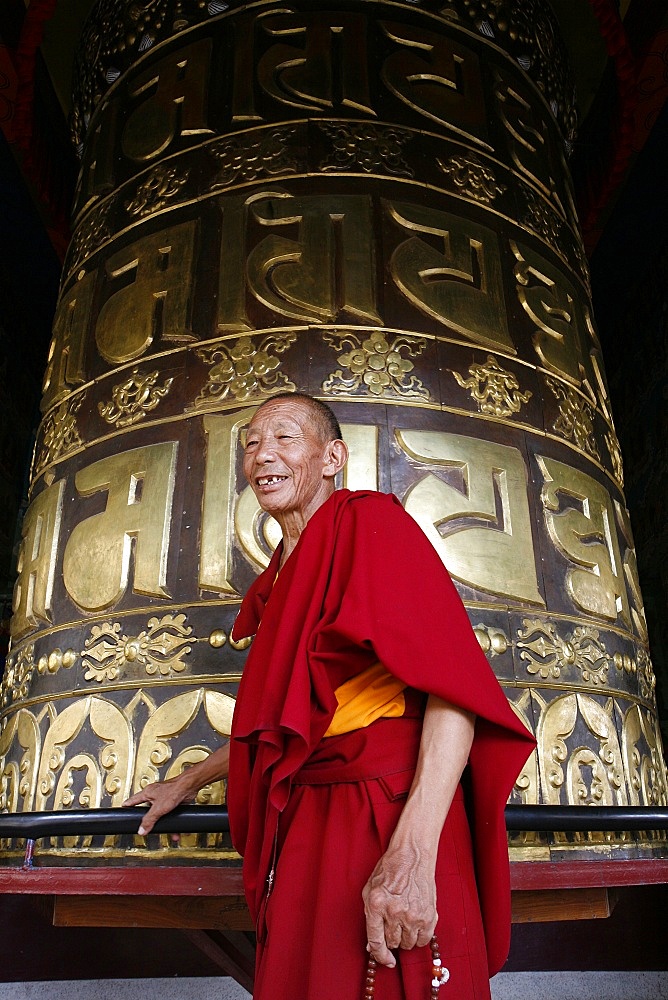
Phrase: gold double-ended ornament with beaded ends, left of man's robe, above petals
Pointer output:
(158, 649)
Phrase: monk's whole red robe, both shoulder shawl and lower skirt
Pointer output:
(362, 585)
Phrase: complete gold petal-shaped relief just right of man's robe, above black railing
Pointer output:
(576, 774)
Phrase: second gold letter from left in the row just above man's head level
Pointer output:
(156, 302)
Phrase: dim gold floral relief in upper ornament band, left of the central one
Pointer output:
(246, 158)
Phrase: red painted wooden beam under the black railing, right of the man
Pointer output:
(581, 874)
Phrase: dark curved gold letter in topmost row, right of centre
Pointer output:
(438, 78)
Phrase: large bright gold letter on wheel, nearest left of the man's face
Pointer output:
(96, 565)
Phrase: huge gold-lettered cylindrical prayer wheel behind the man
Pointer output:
(368, 201)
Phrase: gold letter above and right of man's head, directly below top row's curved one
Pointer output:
(460, 286)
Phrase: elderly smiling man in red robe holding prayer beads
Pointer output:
(364, 698)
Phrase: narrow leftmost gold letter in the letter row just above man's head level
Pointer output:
(66, 368)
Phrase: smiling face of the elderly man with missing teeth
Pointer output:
(286, 460)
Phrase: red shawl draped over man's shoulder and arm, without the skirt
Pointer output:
(363, 584)
